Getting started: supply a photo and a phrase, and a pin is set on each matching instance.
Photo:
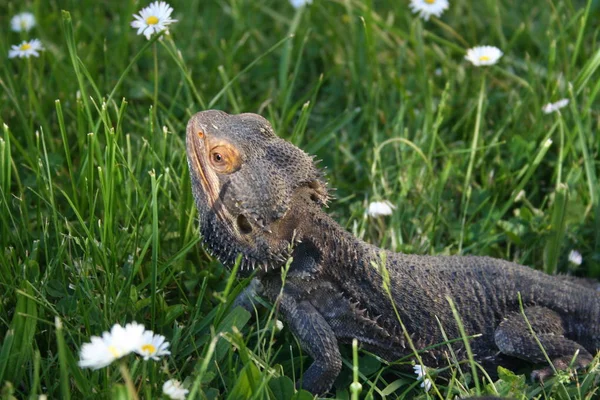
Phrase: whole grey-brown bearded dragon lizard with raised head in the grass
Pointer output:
(260, 196)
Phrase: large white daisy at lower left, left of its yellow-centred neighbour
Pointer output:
(111, 346)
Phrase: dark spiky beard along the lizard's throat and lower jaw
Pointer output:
(221, 243)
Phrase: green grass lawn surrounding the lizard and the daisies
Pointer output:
(97, 223)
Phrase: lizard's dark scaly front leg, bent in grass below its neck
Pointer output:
(316, 338)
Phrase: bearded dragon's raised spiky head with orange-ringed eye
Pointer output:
(243, 180)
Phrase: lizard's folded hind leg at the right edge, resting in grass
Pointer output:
(514, 338)
